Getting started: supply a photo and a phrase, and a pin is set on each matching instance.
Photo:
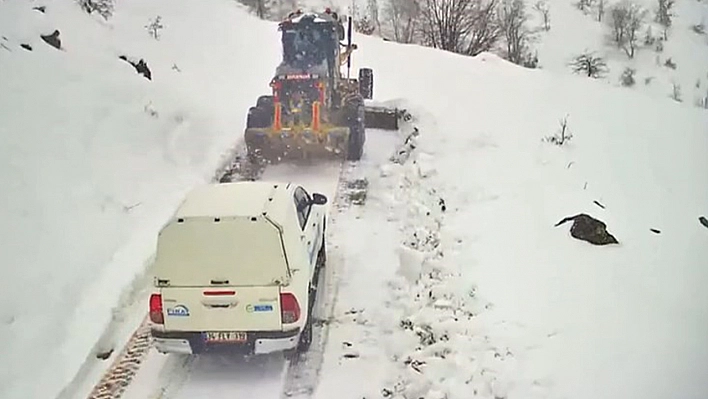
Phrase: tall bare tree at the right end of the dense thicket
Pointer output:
(512, 20)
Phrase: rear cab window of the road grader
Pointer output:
(304, 47)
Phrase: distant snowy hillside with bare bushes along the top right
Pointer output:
(658, 47)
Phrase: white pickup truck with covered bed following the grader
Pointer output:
(237, 268)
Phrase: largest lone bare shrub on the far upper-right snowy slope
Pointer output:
(626, 19)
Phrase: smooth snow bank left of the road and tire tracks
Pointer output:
(95, 158)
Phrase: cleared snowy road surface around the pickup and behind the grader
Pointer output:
(273, 376)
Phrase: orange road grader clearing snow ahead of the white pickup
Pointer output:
(315, 109)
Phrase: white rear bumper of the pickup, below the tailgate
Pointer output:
(258, 342)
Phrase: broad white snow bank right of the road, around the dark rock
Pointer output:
(487, 296)
